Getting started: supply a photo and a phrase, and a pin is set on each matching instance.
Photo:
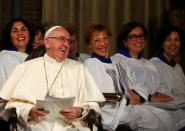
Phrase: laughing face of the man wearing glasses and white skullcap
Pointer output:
(57, 44)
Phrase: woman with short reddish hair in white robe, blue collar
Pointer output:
(105, 73)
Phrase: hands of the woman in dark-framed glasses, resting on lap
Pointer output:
(160, 97)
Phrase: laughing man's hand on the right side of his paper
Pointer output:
(71, 113)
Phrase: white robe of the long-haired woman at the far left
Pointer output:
(8, 61)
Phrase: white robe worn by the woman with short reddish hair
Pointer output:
(138, 117)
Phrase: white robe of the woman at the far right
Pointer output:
(172, 82)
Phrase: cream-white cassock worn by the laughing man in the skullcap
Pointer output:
(28, 82)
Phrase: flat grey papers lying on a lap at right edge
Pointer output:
(172, 105)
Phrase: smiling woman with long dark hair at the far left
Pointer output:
(17, 41)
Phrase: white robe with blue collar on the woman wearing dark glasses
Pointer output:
(143, 78)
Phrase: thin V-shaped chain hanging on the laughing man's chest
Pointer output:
(49, 88)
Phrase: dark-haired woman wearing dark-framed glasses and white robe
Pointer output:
(141, 73)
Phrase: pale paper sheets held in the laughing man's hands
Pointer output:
(55, 105)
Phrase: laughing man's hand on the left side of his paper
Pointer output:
(37, 113)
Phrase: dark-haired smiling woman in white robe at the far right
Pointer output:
(172, 80)
